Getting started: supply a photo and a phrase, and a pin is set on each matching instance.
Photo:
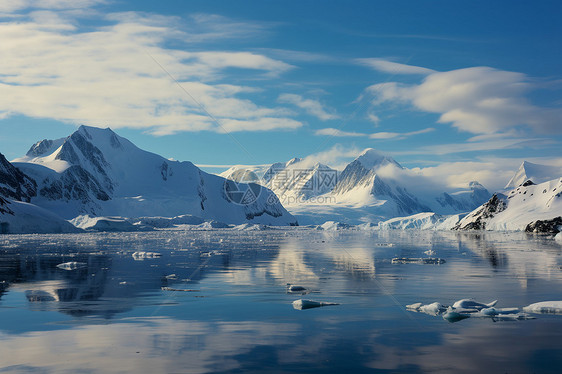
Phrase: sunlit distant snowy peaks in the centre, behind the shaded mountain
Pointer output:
(371, 188)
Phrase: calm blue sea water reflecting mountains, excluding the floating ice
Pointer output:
(112, 315)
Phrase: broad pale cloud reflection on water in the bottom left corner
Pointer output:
(163, 345)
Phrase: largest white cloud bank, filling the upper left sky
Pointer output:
(110, 76)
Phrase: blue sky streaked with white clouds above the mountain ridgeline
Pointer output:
(460, 90)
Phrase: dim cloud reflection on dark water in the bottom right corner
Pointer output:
(480, 348)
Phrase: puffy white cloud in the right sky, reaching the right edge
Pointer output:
(480, 100)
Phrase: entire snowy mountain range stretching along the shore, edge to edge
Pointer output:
(96, 173)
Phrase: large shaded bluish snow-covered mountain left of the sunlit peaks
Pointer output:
(95, 171)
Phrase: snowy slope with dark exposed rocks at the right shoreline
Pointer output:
(517, 208)
